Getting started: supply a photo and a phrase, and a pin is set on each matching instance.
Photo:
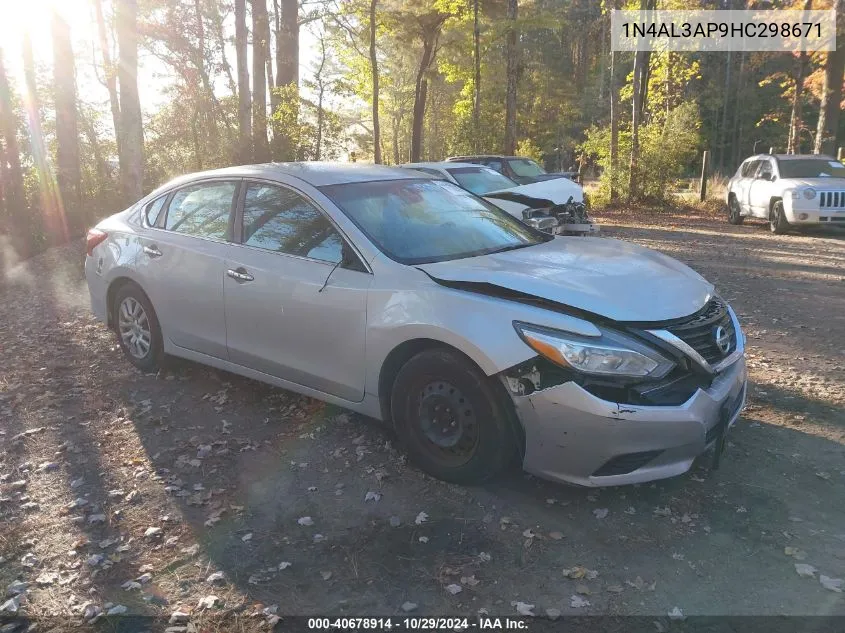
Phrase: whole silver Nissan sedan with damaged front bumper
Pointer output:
(479, 339)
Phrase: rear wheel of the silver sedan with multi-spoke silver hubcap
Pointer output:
(135, 321)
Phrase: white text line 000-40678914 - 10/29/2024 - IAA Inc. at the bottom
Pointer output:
(417, 624)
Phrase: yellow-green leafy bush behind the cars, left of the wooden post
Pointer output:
(668, 151)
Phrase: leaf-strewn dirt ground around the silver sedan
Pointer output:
(305, 509)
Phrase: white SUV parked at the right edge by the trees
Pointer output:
(788, 190)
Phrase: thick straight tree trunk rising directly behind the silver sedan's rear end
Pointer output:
(131, 125)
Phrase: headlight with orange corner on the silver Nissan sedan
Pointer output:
(611, 354)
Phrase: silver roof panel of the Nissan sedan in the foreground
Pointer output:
(314, 173)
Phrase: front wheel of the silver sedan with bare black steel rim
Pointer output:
(429, 390)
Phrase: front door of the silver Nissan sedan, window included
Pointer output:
(296, 307)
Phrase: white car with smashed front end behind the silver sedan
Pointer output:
(554, 206)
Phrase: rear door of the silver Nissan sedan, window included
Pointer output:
(182, 264)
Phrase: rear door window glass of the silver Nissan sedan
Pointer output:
(202, 210)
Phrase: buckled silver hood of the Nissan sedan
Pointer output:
(612, 278)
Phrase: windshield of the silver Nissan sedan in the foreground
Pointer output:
(425, 221)
